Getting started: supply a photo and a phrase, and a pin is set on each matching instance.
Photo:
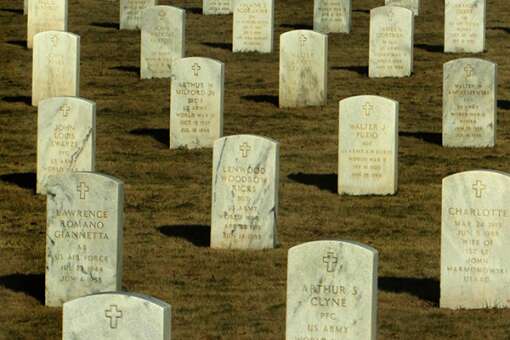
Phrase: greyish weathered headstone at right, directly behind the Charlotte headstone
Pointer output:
(469, 103)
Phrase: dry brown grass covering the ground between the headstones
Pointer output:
(220, 294)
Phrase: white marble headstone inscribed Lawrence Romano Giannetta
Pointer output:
(83, 236)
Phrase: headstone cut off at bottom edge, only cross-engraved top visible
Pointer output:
(116, 316)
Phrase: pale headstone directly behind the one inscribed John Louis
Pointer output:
(56, 65)
